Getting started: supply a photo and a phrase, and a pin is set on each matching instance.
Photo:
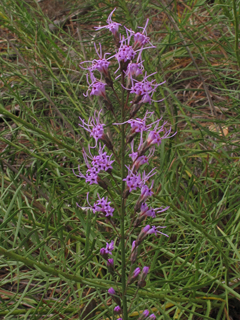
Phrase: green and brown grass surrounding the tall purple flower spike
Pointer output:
(50, 266)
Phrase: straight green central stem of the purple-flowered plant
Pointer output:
(124, 300)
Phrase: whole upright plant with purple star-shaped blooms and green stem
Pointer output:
(139, 138)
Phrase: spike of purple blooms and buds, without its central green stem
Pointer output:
(146, 136)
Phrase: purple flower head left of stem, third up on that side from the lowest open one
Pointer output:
(94, 126)
